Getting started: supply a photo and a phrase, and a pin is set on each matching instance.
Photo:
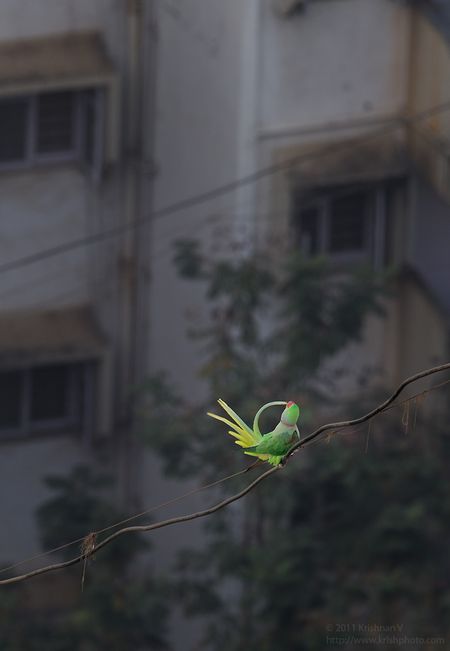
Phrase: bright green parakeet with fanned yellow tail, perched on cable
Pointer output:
(271, 447)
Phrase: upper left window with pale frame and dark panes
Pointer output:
(54, 126)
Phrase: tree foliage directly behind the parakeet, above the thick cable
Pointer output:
(268, 333)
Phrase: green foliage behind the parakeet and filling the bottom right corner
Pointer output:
(341, 536)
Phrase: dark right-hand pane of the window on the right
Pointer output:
(348, 222)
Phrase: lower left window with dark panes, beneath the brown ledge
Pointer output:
(45, 398)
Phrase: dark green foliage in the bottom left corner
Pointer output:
(117, 610)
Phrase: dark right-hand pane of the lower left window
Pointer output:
(50, 393)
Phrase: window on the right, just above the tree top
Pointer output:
(348, 223)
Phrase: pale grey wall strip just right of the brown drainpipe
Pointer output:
(201, 142)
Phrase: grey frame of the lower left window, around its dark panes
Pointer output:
(80, 402)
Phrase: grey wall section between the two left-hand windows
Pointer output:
(41, 209)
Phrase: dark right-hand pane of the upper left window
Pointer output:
(55, 122)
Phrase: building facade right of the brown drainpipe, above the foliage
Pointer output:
(332, 106)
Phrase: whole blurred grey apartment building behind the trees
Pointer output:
(123, 126)
